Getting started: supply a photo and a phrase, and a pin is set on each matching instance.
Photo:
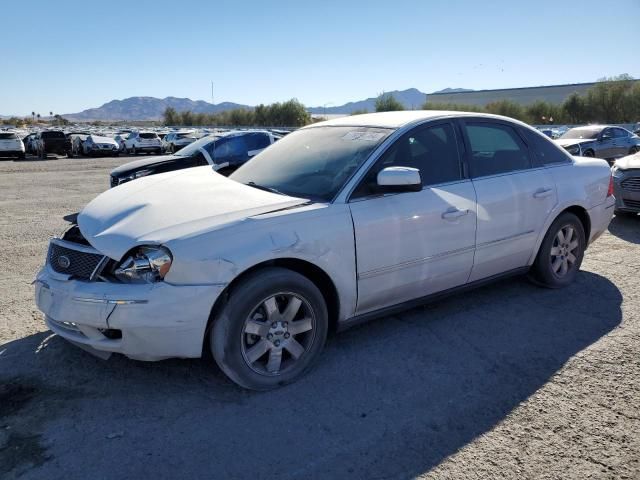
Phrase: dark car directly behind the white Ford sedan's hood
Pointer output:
(225, 152)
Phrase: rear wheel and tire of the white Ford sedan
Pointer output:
(561, 253)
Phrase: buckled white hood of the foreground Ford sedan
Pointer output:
(165, 207)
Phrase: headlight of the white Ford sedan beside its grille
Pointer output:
(146, 264)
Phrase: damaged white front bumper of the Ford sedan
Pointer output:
(142, 321)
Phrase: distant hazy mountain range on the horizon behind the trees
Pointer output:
(151, 108)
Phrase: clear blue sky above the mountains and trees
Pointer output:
(65, 55)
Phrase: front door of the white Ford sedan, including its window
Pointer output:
(411, 244)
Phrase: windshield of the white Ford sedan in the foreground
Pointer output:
(312, 163)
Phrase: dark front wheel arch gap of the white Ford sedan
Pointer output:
(317, 275)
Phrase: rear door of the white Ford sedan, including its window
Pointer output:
(515, 196)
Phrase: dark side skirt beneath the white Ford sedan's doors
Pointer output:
(400, 307)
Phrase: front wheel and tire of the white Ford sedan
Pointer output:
(271, 330)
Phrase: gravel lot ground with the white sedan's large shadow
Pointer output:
(508, 381)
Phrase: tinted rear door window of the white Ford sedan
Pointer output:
(495, 149)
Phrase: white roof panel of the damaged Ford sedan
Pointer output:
(400, 119)
